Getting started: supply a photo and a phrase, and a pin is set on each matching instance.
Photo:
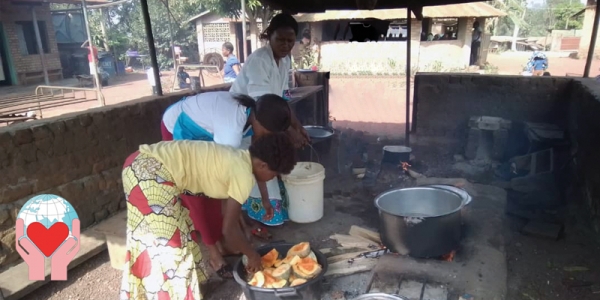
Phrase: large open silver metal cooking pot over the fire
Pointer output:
(421, 222)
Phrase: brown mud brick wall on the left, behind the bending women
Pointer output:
(78, 156)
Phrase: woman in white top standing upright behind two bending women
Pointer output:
(266, 71)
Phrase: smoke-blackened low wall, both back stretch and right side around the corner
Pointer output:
(444, 103)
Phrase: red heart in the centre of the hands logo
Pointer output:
(47, 239)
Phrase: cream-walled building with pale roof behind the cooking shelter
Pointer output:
(450, 27)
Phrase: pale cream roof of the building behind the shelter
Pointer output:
(475, 9)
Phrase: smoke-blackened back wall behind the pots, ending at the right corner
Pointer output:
(444, 103)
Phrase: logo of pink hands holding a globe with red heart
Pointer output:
(47, 227)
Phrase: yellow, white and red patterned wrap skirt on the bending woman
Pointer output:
(163, 260)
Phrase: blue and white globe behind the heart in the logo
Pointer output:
(48, 210)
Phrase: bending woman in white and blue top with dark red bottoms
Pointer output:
(226, 119)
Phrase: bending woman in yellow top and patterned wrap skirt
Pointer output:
(162, 259)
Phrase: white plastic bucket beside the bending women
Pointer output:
(304, 187)
